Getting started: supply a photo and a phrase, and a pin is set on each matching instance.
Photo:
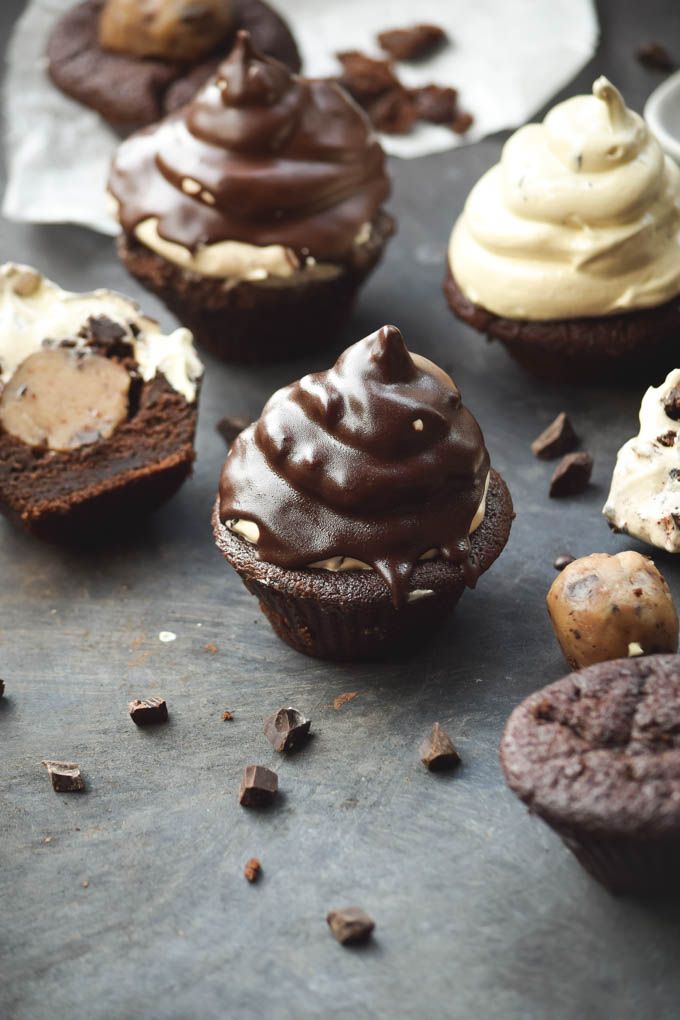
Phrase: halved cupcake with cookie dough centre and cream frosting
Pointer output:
(97, 409)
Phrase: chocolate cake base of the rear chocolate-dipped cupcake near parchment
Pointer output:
(257, 322)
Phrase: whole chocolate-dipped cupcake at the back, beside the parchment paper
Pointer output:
(255, 213)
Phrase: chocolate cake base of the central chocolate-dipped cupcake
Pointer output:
(349, 615)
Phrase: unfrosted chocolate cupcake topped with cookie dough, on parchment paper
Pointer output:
(134, 62)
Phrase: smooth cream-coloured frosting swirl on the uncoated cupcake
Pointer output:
(581, 218)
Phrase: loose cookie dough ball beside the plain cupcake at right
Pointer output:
(608, 607)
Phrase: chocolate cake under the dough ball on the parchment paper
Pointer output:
(132, 92)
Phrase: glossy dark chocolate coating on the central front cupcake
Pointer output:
(377, 460)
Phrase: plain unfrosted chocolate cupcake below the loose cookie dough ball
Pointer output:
(598, 757)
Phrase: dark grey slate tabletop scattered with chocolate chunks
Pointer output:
(480, 909)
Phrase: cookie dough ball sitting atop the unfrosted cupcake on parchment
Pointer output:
(174, 30)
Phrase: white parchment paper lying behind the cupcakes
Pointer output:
(507, 60)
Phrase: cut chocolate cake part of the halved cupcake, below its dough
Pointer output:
(103, 488)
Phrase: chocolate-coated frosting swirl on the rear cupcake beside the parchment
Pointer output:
(260, 157)
